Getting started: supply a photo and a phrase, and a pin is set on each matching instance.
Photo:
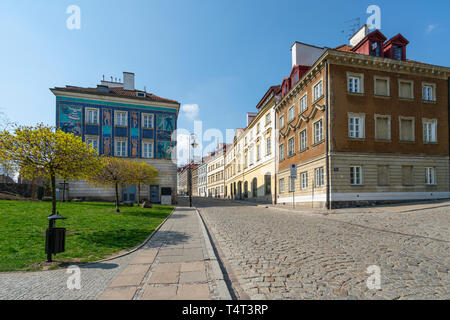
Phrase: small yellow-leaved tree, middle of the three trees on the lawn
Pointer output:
(113, 173)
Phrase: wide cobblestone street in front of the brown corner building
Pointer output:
(276, 254)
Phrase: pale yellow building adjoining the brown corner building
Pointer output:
(250, 163)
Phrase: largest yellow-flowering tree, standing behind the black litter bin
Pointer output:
(45, 152)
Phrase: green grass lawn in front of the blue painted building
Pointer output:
(94, 231)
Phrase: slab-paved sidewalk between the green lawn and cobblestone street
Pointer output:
(175, 264)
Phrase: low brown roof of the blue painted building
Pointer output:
(116, 92)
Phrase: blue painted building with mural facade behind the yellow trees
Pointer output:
(118, 120)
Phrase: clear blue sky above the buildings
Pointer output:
(219, 55)
